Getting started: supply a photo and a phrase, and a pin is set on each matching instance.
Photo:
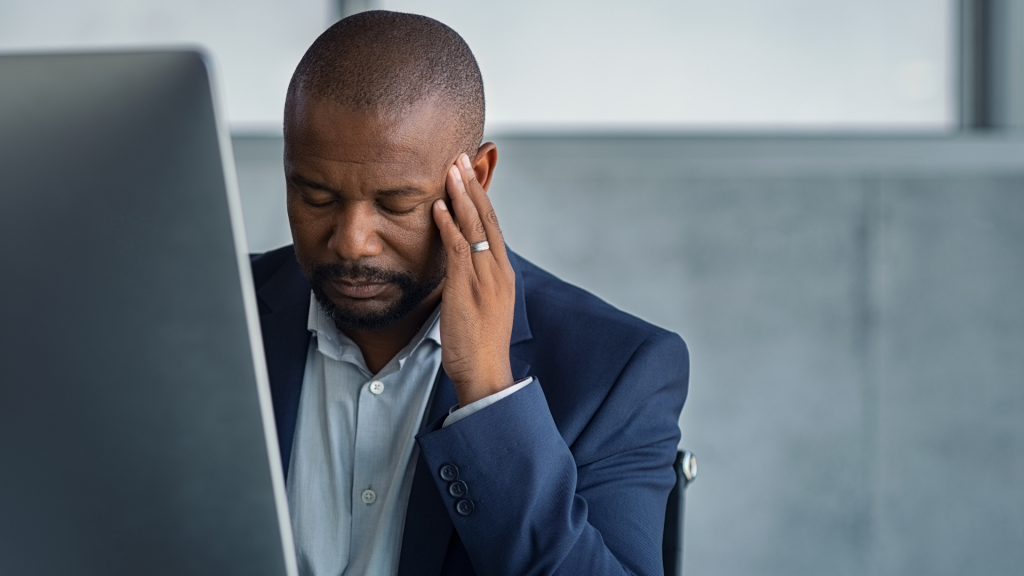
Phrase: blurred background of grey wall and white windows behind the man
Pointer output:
(825, 198)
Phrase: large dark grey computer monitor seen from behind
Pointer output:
(137, 431)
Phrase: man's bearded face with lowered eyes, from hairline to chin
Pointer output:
(361, 187)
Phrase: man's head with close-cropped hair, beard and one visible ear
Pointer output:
(377, 111)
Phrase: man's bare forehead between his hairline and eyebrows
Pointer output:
(413, 145)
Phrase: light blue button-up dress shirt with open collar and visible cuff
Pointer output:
(355, 449)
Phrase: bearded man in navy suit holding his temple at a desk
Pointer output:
(443, 405)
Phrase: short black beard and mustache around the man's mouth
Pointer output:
(412, 293)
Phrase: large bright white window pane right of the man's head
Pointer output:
(700, 64)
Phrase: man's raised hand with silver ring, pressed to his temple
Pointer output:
(479, 299)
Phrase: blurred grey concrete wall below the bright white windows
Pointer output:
(856, 322)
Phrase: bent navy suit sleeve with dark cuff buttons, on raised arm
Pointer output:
(539, 508)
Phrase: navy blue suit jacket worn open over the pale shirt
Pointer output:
(569, 476)
